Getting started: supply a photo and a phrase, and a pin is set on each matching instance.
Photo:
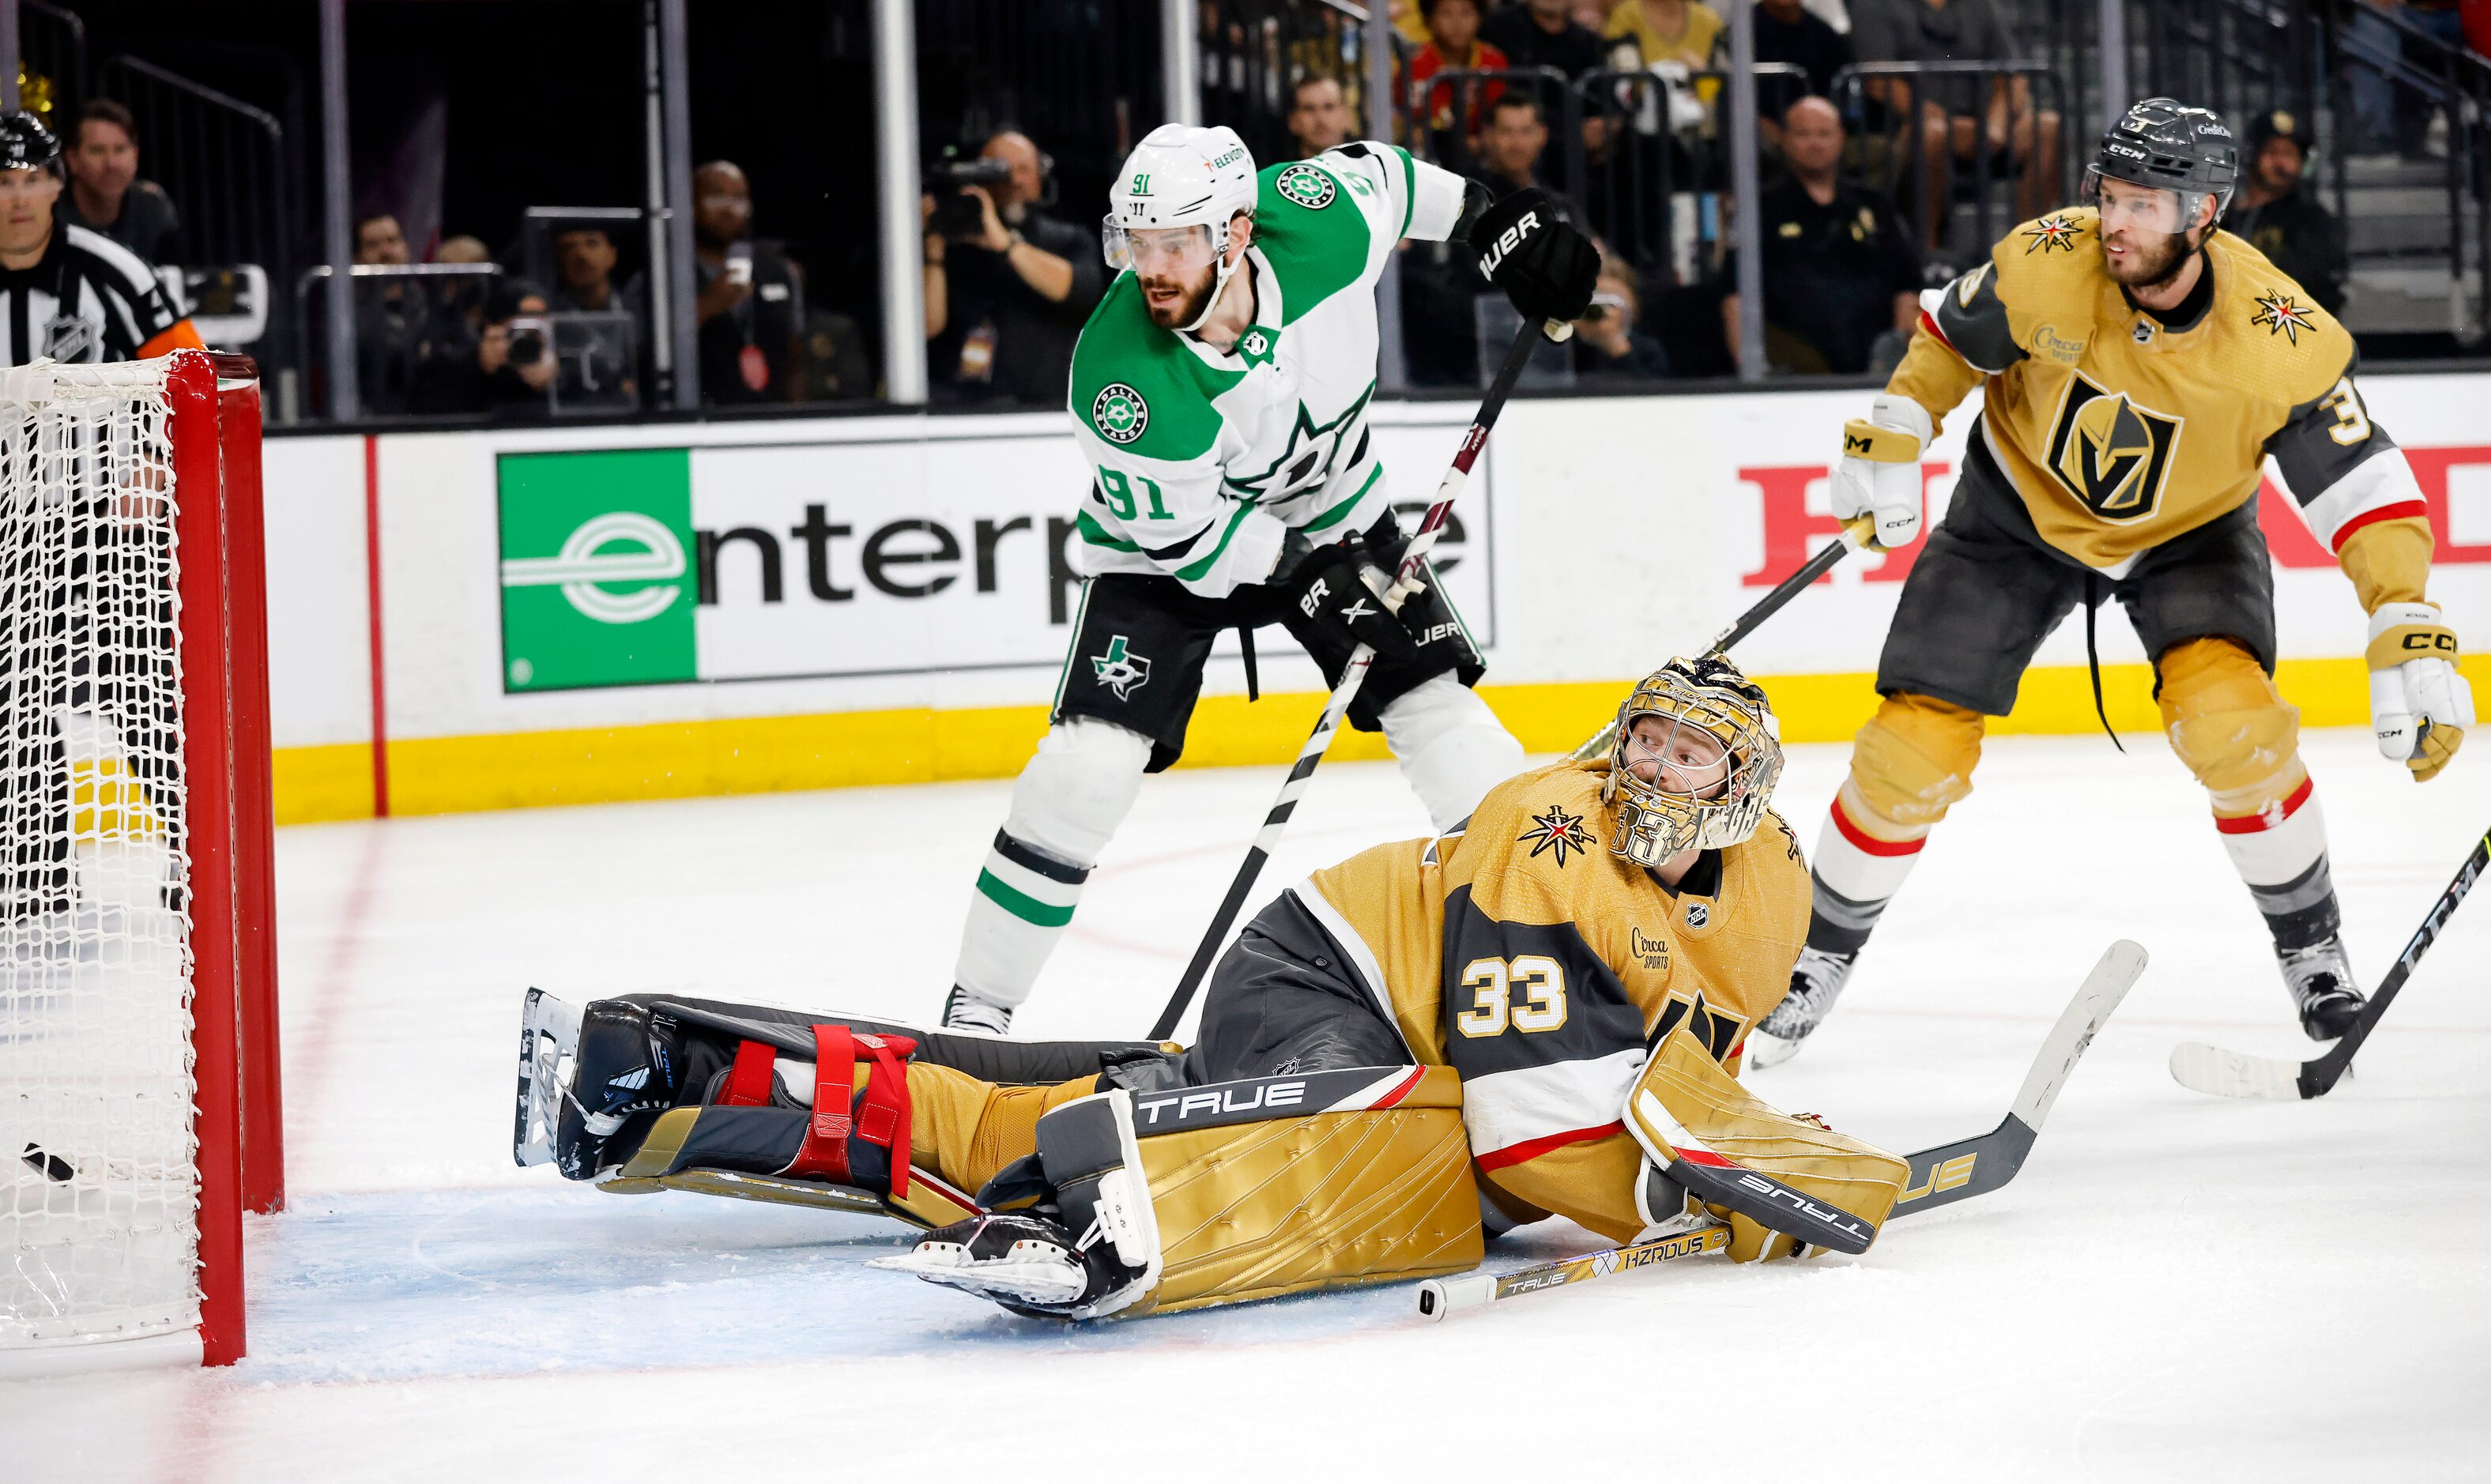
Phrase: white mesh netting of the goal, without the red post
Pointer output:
(98, 1159)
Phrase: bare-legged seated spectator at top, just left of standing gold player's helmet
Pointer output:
(1962, 118)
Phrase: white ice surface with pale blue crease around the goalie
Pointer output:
(2176, 1289)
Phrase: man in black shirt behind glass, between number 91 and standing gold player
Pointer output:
(1840, 268)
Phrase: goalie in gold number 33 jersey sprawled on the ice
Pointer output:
(1536, 1012)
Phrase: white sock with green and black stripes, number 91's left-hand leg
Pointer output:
(1065, 808)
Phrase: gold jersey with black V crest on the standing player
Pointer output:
(2121, 432)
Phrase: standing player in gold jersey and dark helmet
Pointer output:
(2136, 372)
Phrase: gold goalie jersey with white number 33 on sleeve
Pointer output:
(1536, 962)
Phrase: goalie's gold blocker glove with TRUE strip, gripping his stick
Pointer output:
(1772, 1172)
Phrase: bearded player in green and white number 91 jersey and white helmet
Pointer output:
(1222, 402)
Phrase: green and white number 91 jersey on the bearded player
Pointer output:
(1202, 462)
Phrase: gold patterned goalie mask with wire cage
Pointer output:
(1695, 761)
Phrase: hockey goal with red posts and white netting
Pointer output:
(138, 1074)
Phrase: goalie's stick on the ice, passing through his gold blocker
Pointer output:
(1939, 1176)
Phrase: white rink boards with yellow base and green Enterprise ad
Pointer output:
(706, 609)
